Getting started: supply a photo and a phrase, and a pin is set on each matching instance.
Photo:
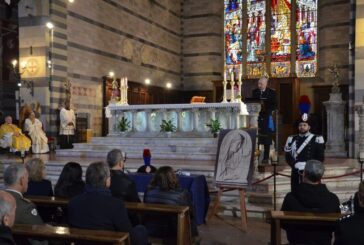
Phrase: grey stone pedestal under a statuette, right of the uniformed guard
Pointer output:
(335, 108)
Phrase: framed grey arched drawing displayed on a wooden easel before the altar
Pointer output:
(235, 157)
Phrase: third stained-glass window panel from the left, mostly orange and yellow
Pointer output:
(280, 37)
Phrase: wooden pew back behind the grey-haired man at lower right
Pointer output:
(298, 218)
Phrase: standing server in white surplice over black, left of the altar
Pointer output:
(67, 127)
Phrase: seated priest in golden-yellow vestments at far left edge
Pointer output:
(11, 136)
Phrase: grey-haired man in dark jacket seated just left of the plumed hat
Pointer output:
(121, 185)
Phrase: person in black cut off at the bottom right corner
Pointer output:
(349, 229)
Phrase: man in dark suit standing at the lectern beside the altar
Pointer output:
(268, 99)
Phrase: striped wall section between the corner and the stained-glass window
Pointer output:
(202, 48)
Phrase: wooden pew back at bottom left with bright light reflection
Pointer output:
(48, 232)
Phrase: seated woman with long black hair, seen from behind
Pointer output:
(70, 181)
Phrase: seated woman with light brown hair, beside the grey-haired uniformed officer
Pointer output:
(39, 186)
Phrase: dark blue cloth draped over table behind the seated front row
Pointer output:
(196, 186)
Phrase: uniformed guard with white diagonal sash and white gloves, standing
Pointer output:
(303, 147)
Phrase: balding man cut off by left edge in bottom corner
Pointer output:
(7, 217)
